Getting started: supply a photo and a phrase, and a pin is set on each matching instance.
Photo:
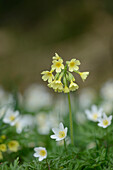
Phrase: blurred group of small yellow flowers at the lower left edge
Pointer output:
(12, 146)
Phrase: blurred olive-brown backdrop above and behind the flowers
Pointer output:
(32, 31)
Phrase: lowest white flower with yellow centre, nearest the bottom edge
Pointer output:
(40, 152)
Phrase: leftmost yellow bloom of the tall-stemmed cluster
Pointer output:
(47, 75)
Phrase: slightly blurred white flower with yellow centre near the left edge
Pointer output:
(10, 116)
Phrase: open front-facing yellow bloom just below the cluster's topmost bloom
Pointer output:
(57, 65)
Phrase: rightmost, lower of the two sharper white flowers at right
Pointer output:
(104, 121)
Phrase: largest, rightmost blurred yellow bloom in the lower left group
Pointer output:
(13, 146)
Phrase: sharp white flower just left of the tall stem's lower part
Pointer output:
(59, 133)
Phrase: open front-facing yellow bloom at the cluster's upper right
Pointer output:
(73, 65)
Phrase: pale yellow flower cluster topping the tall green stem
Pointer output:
(63, 80)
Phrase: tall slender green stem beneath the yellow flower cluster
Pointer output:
(71, 121)
